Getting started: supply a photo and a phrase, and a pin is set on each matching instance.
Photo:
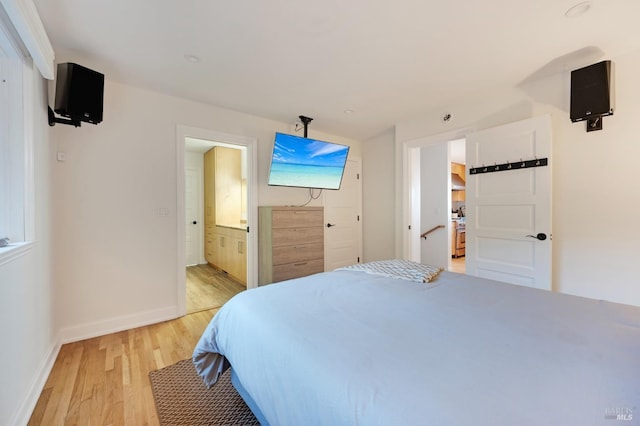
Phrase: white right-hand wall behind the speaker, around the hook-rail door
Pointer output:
(595, 190)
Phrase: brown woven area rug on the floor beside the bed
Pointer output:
(182, 398)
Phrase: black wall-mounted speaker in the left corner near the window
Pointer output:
(79, 95)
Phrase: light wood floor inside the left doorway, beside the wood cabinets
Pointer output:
(208, 288)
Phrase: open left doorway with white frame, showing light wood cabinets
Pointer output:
(216, 210)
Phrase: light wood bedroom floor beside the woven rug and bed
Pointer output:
(105, 380)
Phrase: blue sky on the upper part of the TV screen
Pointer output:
(291, 149)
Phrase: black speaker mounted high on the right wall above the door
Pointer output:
(592, 94)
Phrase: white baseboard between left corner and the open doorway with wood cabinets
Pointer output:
(114, 325)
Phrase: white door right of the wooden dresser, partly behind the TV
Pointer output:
(343, 223)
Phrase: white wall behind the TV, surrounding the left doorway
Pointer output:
(115, 258)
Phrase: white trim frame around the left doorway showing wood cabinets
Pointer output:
(251, 145)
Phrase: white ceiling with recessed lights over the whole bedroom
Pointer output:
(387, 61)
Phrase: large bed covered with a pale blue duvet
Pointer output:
(356, 348)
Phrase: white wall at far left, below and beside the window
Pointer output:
(28, 341)
